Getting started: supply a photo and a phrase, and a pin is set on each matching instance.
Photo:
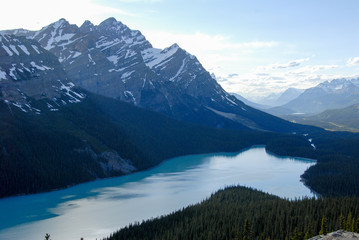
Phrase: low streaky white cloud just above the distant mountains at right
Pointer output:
(266, 81)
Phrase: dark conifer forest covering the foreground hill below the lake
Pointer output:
(243, 213)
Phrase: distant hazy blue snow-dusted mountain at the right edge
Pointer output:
(338, 93)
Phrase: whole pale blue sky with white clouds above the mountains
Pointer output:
(255, 48)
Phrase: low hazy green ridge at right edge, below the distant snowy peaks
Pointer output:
(344, 119)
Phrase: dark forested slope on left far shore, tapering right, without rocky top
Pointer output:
(57, 149)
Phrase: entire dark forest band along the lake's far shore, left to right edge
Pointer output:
(58, 149)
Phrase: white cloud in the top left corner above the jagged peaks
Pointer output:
(38, 13)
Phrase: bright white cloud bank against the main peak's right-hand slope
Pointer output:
(218, 53)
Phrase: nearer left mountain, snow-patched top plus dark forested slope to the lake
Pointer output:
(54, 134)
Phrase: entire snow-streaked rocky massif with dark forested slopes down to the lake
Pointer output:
(54, 133)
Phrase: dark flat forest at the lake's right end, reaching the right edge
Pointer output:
(337, 153)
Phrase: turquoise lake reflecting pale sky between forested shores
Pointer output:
(95, 209)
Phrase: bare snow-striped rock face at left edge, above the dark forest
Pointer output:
(28, 71)
